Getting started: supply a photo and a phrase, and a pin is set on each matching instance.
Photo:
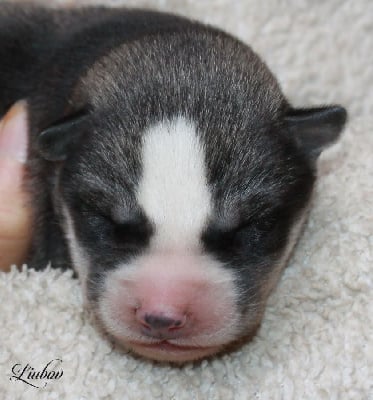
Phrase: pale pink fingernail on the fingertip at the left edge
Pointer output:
(13, 133)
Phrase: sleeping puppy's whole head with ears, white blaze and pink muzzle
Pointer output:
(182, 189)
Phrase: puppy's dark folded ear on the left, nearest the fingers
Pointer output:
(55, 142)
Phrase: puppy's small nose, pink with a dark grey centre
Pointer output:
(160, 324)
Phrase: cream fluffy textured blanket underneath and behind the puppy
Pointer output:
(316, 341)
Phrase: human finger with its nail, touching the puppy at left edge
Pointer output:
(15, 215)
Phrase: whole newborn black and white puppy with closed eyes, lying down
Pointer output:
(166, 168)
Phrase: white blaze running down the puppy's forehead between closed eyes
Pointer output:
(173, 188)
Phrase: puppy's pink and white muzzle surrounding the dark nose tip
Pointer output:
(192, 289)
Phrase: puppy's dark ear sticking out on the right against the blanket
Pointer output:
(316, 128)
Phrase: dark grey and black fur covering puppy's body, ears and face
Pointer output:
(96, 78)
